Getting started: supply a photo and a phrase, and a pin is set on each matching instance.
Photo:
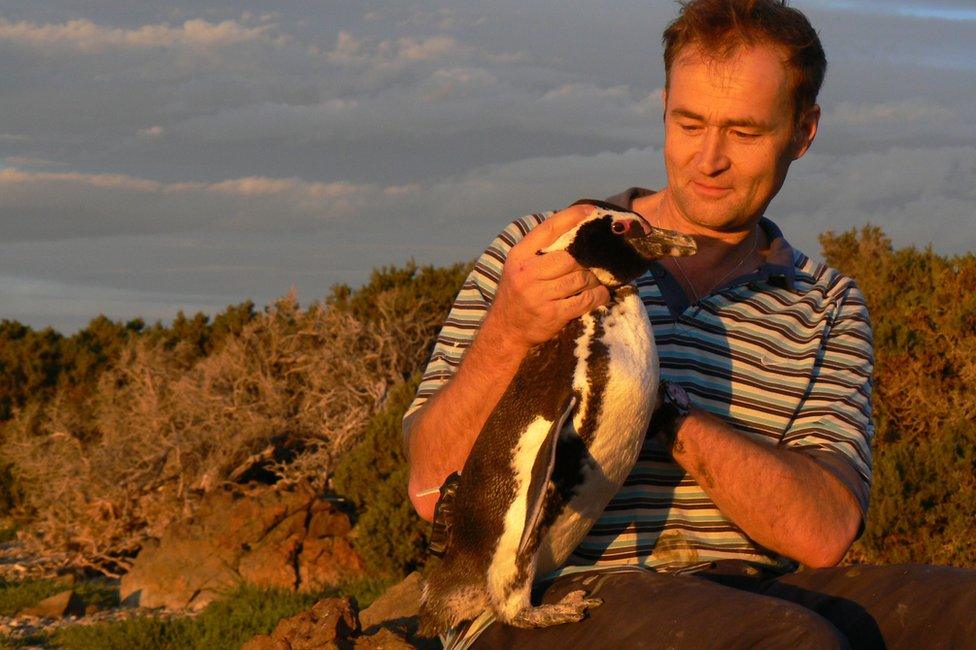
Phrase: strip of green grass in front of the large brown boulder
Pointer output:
(224, 624)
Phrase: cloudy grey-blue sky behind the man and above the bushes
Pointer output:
(190, 155)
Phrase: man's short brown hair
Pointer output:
(721, 27)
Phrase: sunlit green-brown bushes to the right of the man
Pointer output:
(923, 309)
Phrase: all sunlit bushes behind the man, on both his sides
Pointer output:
(112, 432)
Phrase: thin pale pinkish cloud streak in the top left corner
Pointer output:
(83, 35)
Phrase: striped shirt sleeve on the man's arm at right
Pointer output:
(833, 423)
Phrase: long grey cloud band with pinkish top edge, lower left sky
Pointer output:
(44, 205)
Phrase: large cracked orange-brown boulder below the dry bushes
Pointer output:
(277, 537)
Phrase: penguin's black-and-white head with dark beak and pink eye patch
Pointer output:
(617, 246)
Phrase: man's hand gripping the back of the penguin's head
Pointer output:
(539, 294)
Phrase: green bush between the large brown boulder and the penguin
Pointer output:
(389, 535)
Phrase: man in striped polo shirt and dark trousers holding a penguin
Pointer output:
(771, 464)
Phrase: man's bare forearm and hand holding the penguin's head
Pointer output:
(536, 297)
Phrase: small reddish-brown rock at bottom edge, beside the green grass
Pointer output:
(331, 623)
